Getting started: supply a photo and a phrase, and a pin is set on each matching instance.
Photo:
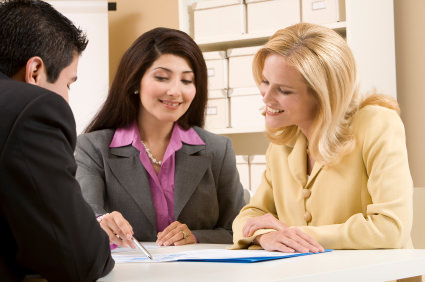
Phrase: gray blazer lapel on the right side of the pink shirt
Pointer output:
(189, 172)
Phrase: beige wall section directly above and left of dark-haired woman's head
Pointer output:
(131, 19)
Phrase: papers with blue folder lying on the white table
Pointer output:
(207, 255)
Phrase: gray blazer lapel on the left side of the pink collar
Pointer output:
(131, 174)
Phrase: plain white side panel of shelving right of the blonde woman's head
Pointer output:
(370, 34)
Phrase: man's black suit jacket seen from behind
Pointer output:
(46, 226)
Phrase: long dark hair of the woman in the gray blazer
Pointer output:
(122, 106)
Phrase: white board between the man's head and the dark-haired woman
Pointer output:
(90, 90)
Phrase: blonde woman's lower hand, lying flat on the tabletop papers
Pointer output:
(289, 240)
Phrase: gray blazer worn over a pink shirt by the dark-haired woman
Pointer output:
(208, 194)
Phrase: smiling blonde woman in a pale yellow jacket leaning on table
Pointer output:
(337, 174)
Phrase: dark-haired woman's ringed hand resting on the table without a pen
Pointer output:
(176, 234)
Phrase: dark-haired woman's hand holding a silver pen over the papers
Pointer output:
(118, 229)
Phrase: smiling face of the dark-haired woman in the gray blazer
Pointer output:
(166, 90)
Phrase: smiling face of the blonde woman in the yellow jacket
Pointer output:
(286, 95)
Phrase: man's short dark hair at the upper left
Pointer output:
(31, 28)
